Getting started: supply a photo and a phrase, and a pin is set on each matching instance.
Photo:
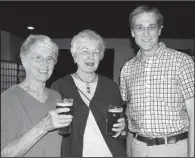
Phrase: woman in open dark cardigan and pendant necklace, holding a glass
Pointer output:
(92, 94)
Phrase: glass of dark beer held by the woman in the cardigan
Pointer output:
(114, 113)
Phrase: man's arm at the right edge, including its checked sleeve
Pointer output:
(186, 81)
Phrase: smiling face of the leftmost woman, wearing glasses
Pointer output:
(39, 64)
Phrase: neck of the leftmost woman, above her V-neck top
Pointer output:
(33, 86)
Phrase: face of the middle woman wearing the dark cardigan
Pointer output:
(88, 55)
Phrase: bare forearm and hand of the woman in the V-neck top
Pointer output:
(20, 146)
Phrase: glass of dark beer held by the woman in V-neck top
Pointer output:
(65, 131)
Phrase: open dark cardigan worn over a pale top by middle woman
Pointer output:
(107, 92)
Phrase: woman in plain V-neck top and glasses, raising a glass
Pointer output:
(28, 116)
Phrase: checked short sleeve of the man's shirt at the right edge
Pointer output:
(186, 77)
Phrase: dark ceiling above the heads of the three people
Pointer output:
(64, 19)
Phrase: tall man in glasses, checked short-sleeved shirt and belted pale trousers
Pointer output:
(158, 85)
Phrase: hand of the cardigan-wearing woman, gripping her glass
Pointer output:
(119, 127)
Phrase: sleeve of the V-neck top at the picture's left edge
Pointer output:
(10, 120)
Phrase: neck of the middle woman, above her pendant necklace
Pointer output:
(86, 77)
